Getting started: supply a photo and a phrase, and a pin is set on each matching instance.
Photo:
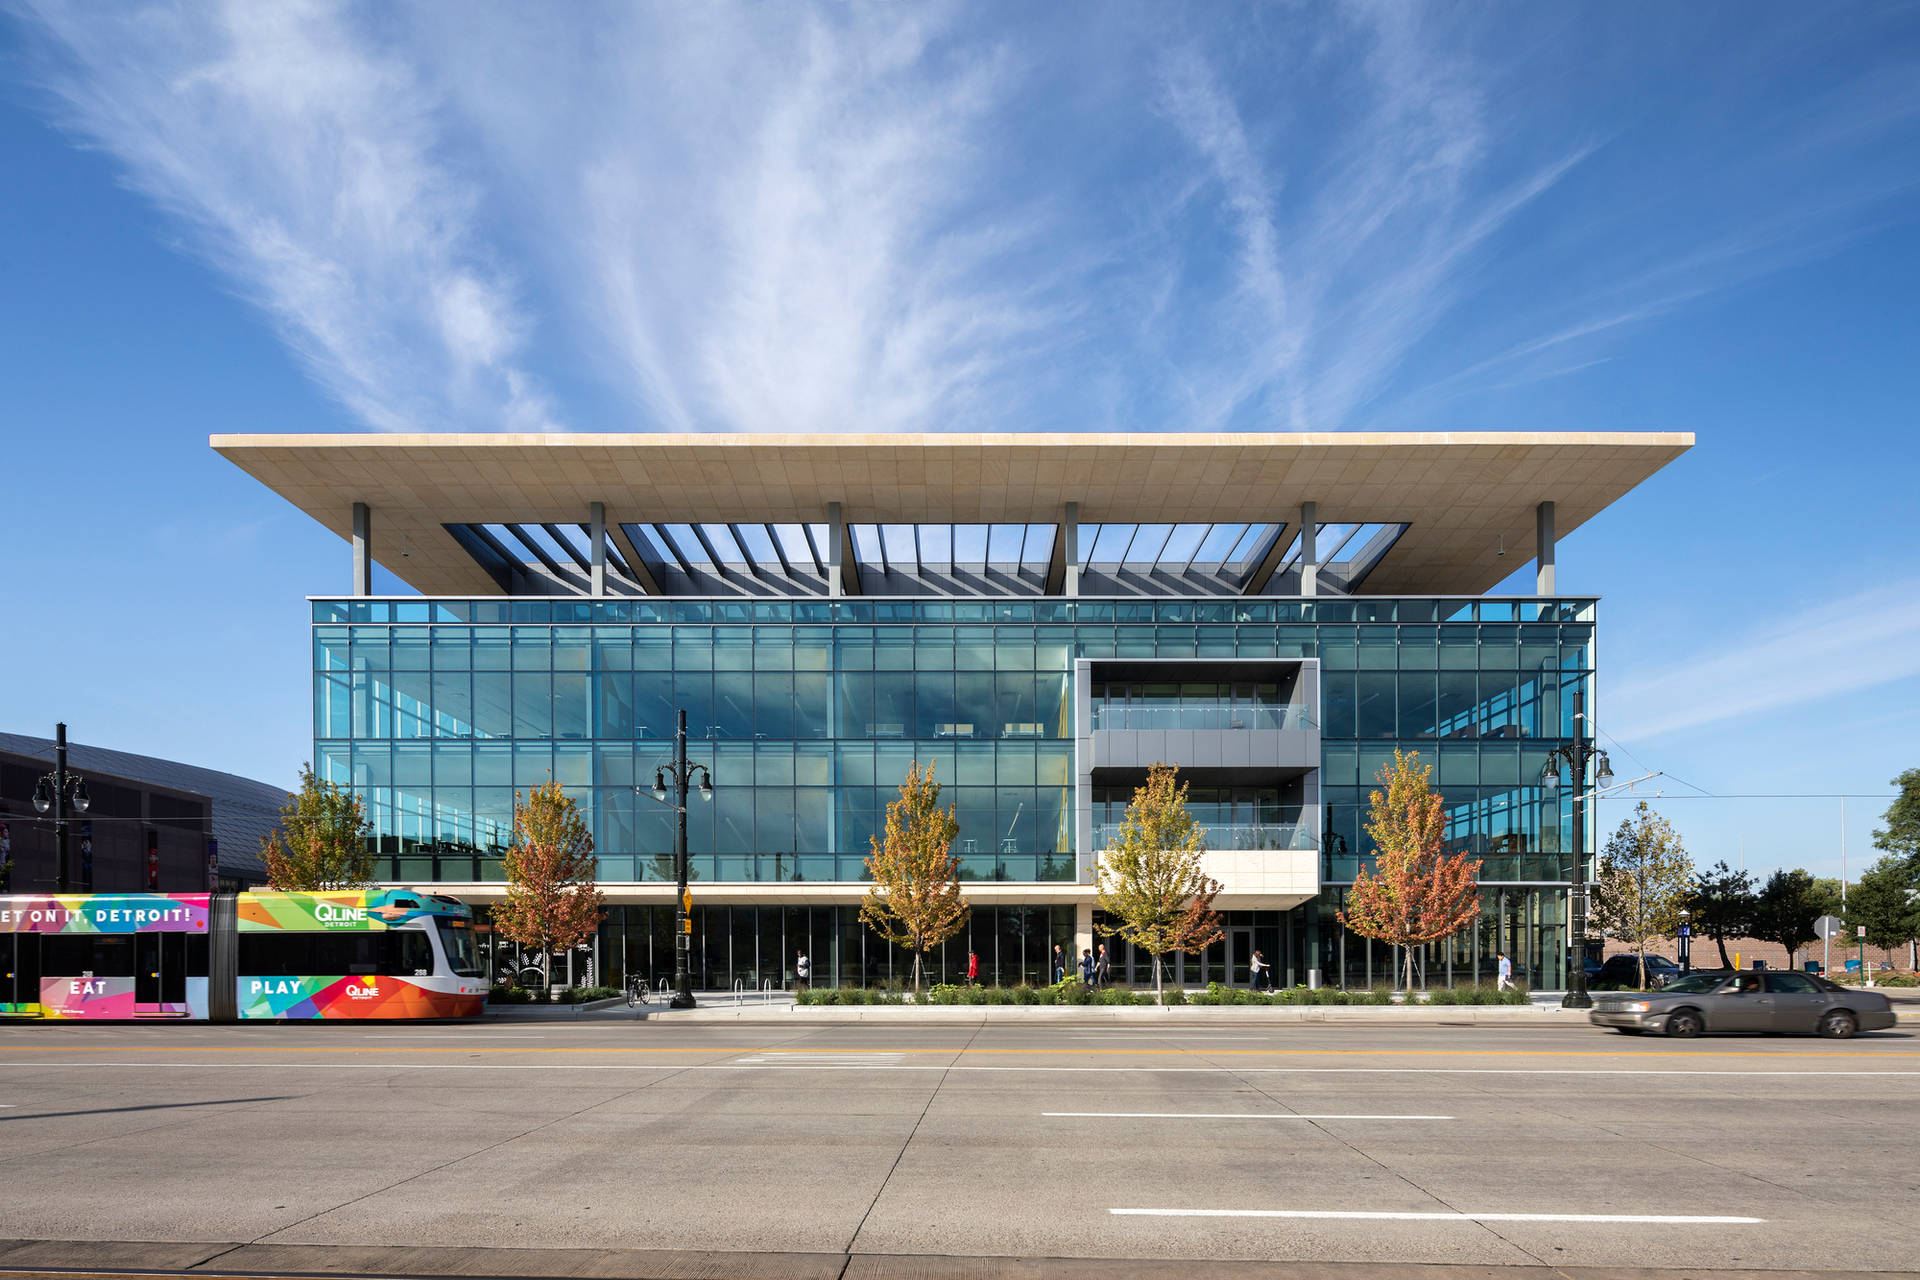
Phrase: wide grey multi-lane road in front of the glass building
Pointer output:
(1349, 1145)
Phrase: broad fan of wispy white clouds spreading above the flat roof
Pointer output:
(792, 218)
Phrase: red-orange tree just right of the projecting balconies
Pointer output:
(1414, 893)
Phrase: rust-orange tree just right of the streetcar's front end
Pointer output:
(552, 901)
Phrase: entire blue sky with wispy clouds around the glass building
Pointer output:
(725, 218)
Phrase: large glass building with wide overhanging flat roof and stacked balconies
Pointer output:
(1038, 667)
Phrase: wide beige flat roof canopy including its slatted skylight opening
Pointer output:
(955, 515)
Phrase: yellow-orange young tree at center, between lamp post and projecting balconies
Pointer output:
(915, 901)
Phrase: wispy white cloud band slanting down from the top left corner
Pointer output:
(304, 158)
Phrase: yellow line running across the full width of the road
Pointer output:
(971, 1053)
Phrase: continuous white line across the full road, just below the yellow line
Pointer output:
(794, 1066)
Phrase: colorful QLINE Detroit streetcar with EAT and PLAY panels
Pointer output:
(249, 957)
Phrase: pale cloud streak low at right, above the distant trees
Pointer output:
(1850, 646)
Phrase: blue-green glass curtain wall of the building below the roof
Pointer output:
(807, 713)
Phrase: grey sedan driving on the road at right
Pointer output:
(1775, 1001)
